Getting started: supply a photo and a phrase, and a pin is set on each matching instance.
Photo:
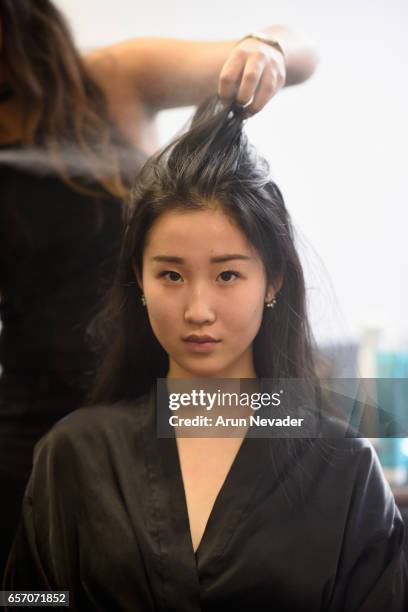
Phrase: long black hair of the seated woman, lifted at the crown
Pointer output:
(211, 165)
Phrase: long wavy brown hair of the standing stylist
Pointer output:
(64, 109)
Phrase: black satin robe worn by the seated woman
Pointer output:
(105, 517)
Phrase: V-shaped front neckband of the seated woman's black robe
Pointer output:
(177, 566)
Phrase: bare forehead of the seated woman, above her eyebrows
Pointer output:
(191, 232)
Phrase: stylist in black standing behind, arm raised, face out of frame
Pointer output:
(72, 131)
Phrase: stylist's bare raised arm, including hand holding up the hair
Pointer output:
(140, 77)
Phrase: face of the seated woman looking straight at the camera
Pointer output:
(205, 289)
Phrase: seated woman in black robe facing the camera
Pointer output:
(124, 519)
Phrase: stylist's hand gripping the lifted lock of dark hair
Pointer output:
(252, 74)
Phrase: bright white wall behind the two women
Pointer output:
(337, 144)
